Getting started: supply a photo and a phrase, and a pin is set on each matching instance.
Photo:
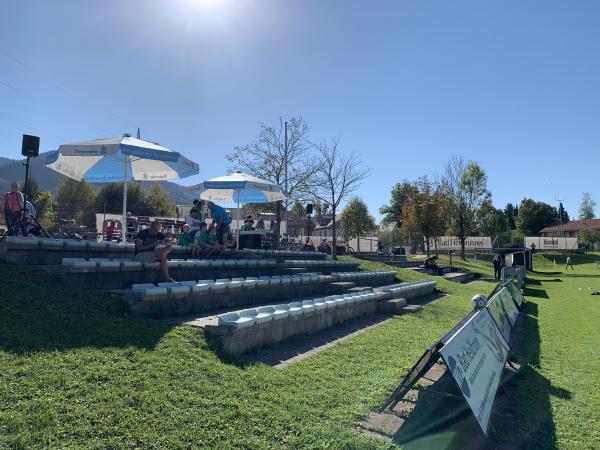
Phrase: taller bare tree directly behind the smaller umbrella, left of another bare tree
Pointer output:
(266, 158)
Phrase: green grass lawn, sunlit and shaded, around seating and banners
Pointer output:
(76, 370)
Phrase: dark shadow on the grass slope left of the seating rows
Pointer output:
(39, 313)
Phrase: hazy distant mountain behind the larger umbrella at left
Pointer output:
(13, 170)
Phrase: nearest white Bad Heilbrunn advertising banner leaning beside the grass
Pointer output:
(476, 355)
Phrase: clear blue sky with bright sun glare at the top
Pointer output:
(512, 85)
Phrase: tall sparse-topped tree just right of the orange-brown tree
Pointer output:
(465, 187)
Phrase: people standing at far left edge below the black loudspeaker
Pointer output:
(19, 215)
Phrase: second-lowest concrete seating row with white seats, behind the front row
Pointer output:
(168, 299)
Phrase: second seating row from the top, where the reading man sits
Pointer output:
(106, 273)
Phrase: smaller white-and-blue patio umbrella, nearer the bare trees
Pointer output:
(242, 188)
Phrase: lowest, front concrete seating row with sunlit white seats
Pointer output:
(250, 328)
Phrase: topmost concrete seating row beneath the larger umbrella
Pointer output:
(42, 251)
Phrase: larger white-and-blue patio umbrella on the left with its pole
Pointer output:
(120, 159)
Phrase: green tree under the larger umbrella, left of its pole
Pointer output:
(76, 200)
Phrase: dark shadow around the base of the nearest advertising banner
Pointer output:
(522, 414)
